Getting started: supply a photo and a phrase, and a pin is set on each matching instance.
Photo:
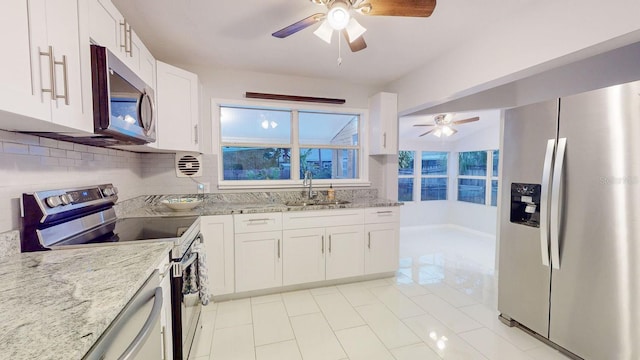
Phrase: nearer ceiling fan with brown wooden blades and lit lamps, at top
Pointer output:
(339, 17)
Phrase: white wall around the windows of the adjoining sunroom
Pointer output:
(477, 217)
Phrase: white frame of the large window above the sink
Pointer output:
(295, 181)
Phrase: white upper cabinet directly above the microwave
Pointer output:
(109, 28)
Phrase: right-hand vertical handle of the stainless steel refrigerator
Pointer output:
(555, 216)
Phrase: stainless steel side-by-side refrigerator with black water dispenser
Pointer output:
(569, 256)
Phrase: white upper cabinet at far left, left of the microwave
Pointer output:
(47, 75)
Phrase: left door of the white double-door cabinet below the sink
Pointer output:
(303, 254)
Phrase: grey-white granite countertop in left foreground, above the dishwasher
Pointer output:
(56, 304)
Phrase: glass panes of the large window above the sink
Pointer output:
(281, 144)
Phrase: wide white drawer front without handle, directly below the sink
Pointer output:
(322, 218)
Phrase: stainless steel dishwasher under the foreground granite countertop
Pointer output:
(135, 333)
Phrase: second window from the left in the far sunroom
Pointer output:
(433, 184)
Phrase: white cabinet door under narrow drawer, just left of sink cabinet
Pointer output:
(258, 260)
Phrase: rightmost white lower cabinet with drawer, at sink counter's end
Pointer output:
(382, 232)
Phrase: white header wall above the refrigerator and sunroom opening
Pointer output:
(546, 35)
